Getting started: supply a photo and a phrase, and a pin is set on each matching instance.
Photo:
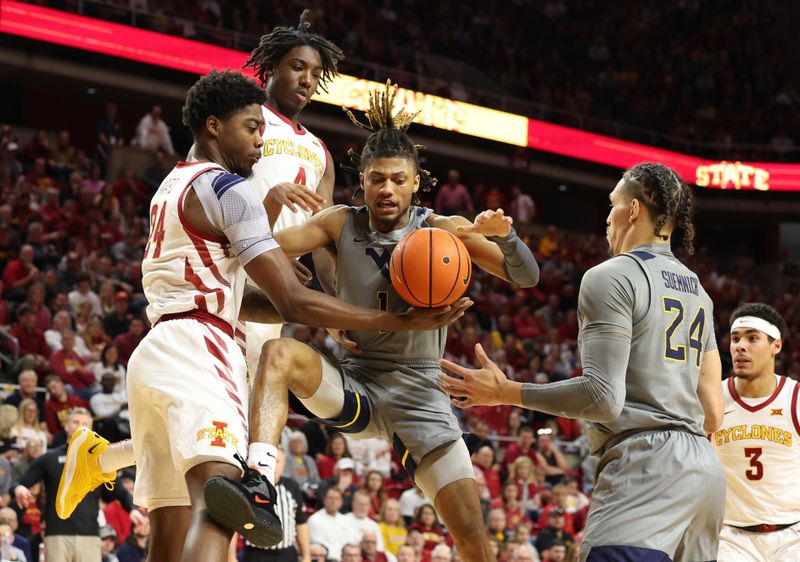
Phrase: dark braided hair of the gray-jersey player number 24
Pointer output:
(666, 197)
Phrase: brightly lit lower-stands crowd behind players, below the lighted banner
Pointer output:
(71, 314)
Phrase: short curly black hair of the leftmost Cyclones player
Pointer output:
(219, 94)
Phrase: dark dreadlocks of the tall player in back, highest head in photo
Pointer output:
(281, 40)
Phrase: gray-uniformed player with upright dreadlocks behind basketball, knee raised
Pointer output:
(385, 385)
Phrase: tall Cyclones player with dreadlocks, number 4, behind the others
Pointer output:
(291, 64)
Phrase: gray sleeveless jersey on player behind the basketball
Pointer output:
(362, 278)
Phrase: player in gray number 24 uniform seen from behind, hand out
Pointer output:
(650, 386)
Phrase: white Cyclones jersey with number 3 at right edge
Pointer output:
(759, 446)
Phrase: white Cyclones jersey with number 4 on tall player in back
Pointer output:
(290, 154)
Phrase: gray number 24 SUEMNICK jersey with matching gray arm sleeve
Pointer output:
(645, 322)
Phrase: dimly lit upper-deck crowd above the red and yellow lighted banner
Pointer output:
(705, 72)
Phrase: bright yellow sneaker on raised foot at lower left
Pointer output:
(81, 472)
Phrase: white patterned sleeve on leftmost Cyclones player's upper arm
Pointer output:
(231, 205)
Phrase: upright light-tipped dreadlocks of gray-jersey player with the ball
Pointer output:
(388, 138)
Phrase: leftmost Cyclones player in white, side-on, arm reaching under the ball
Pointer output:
(187, 378)
